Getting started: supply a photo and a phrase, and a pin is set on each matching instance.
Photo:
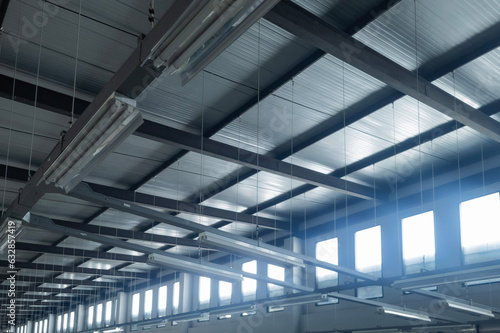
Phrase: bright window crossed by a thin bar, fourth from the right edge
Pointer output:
(328, 251)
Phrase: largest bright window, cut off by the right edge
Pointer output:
(480, 228)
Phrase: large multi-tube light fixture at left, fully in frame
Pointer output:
(111, 125)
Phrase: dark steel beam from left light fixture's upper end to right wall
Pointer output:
(168, 135)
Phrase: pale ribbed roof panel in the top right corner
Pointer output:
(441, 25)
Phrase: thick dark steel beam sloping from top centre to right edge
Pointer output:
(306, 26)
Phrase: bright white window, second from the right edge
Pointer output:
(418, 243)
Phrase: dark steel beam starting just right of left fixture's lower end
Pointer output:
(187, 207)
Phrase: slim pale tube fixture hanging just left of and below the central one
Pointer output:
(185, 264)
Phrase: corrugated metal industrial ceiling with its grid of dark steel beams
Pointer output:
(319, 111)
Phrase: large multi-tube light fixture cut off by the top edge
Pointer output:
(208, 30)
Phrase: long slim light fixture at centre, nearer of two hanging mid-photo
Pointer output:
(246, 247)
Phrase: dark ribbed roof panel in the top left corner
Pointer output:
(102, 48)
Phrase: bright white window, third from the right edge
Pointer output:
(368, 258)
